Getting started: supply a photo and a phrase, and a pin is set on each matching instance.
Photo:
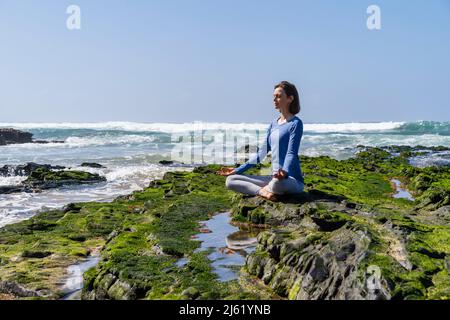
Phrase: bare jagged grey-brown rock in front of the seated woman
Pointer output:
(313, 255)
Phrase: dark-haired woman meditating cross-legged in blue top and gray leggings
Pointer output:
(283, 139)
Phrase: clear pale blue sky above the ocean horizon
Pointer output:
(211, 60)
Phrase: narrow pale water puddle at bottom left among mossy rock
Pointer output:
(74, 282)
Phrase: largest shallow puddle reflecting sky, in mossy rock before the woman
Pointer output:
(229, 245)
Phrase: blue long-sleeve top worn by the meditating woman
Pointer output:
(284, 142)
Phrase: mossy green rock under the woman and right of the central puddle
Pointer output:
(352, 240)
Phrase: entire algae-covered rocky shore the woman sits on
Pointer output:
(346, 237)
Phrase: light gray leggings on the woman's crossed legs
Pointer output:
(252, 184)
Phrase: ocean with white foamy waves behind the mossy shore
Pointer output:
(131, 152)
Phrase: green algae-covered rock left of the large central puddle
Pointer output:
(141, 237)
